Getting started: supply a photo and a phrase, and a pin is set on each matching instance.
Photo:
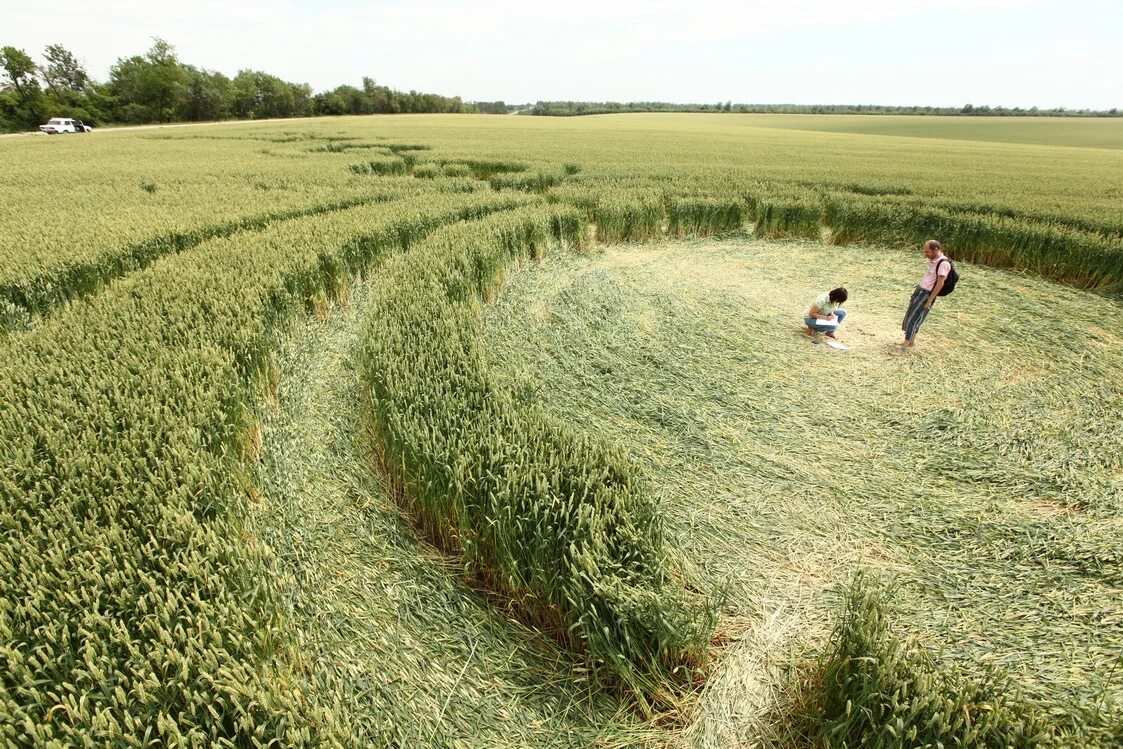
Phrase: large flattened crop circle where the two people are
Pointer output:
(982, 474)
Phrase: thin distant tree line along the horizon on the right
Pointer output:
(579, 108)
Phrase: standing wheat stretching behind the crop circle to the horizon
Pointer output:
(167, 190)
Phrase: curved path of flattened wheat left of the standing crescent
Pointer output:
(413, 655)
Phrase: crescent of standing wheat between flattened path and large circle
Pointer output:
(550, 517)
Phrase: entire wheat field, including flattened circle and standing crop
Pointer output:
(275, 469)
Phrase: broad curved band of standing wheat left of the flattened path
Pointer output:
(133, 596)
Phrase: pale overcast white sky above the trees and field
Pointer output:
(1045, 53)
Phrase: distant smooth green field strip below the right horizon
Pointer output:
(1078, 132)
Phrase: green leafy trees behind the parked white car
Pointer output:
(157, 87)
